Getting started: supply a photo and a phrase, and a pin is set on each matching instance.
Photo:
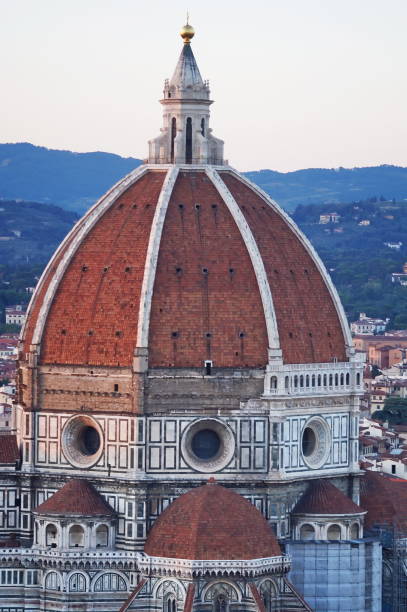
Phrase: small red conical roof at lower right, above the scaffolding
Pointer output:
(322, 497)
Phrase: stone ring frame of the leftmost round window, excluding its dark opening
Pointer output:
(70, 441)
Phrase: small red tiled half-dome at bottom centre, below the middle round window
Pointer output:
(211, 522)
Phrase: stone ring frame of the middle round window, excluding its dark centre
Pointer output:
(226, 450)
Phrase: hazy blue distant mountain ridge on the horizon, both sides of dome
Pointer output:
(75, 180)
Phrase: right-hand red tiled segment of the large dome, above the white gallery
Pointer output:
(308, 324)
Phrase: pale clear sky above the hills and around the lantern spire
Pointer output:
(296, 83)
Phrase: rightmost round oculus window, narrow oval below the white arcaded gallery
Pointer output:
(315, 442)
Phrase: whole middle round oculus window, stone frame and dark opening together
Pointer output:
(207, 445)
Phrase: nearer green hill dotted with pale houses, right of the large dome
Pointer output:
(356, 251)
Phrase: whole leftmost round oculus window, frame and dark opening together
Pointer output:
(82, 441)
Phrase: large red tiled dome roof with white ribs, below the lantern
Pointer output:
(189, 280)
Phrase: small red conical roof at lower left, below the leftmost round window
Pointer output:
(77, 497)
